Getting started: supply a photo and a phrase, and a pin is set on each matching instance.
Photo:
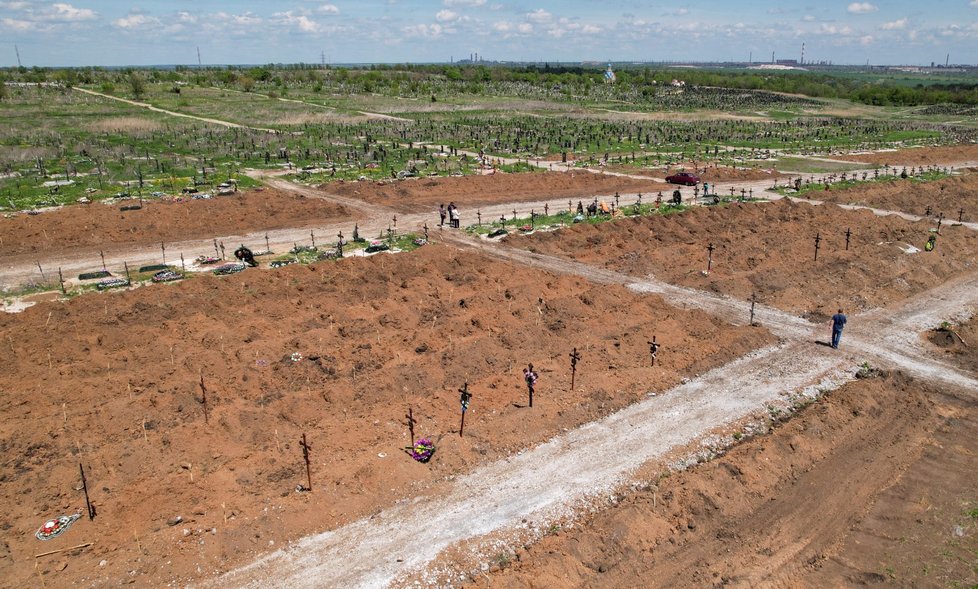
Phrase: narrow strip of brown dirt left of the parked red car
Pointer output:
(425, 194)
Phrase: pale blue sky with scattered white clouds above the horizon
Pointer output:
(152, 32)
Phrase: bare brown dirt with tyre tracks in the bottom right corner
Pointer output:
(873, 485)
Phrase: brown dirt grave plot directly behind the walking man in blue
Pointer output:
(768, 249)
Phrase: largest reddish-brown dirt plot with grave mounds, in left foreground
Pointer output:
(112, 381)
